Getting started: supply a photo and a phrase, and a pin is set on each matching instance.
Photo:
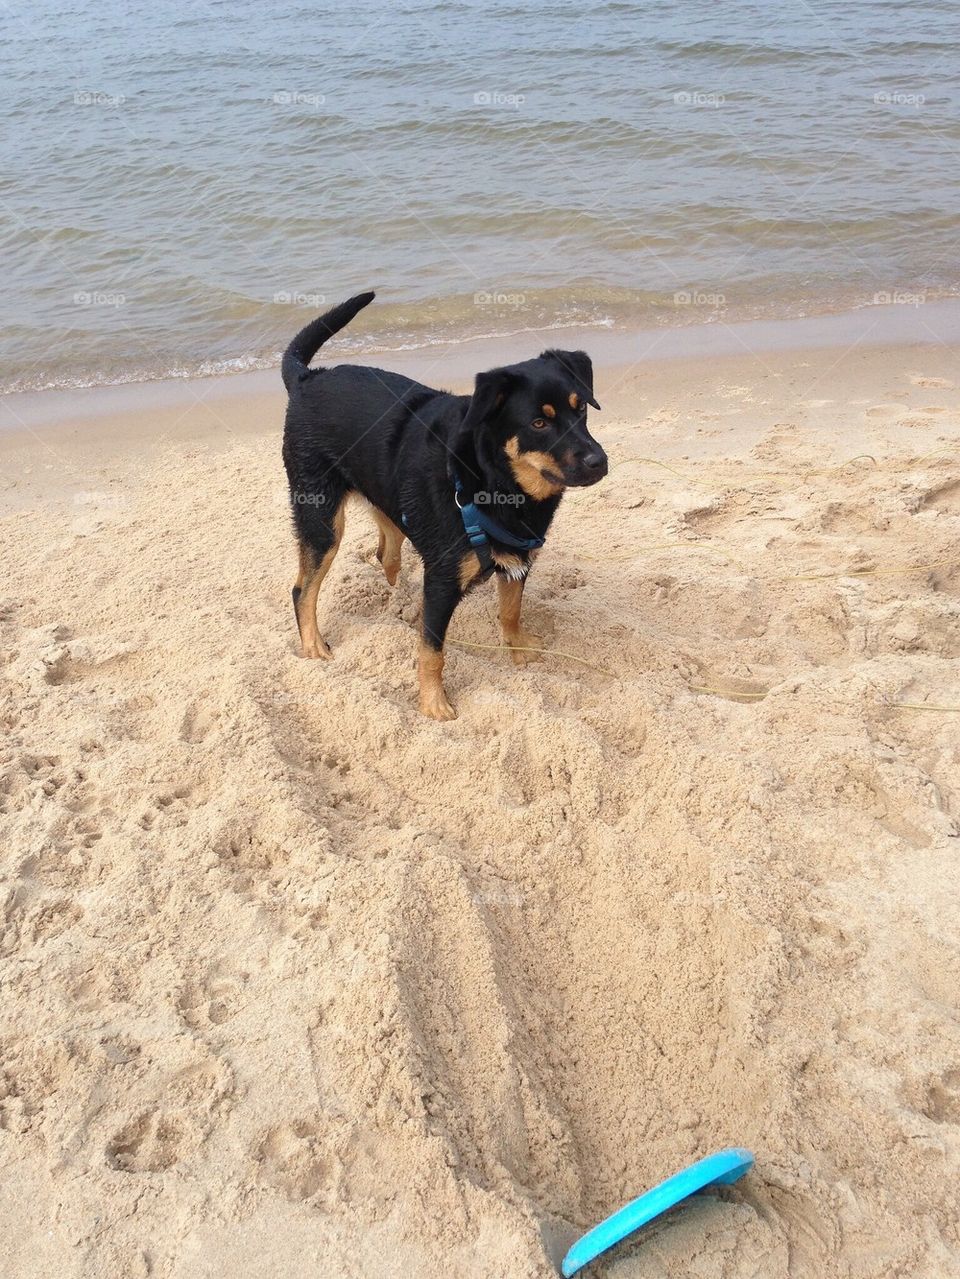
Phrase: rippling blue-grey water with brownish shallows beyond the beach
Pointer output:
(183, 185)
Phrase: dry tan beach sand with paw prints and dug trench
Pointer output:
(297, 983)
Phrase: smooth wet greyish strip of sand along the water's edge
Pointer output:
(895, 326)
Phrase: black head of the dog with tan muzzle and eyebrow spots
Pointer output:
(536, 414)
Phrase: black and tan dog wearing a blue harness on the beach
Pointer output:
(474, 482)
